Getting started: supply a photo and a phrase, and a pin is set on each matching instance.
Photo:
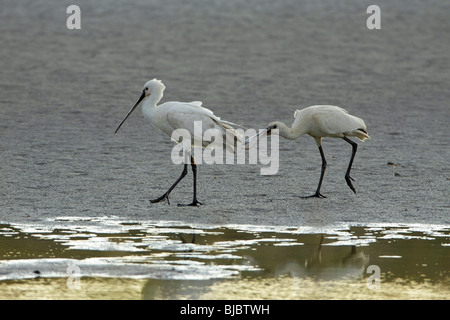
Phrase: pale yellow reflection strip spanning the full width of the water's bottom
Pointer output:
(281, 288)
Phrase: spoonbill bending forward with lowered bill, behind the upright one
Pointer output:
(321, 121)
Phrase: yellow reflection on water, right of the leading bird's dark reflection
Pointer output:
(286, 288)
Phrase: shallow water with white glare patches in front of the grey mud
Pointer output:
(109, 258)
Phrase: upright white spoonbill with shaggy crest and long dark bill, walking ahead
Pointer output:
(170, 116)
